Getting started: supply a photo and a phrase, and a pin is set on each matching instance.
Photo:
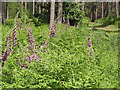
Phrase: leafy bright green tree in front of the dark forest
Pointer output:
(73, 11)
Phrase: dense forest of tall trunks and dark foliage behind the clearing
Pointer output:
(70, 12)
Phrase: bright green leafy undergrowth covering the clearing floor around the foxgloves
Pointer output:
(65, 62)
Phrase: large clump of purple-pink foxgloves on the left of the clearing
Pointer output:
(21, 45)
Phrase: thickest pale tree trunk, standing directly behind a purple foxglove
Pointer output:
(52, 13)
